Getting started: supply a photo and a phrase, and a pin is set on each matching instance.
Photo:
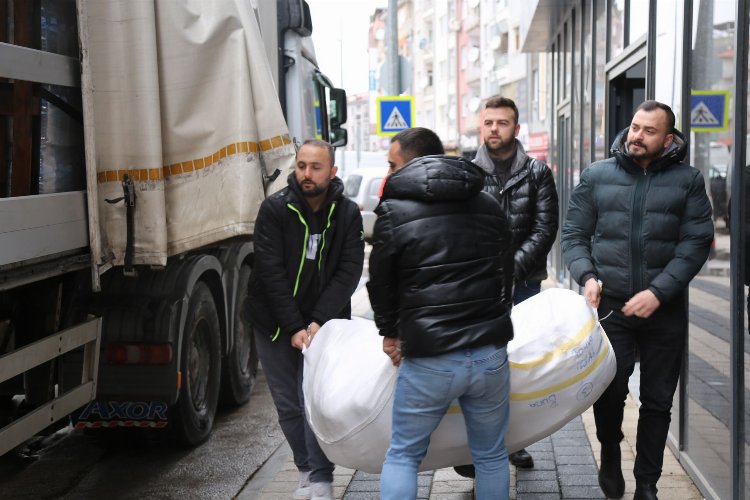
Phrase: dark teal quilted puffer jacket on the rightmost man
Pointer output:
(638, 229)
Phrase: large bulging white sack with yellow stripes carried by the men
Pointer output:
(561, 362)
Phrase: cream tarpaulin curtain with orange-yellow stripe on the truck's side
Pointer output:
(180, 97)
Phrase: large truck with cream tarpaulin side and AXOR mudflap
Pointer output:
(137, 141)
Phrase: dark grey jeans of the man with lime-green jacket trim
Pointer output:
(282, 366)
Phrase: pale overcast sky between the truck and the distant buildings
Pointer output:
(340, 29)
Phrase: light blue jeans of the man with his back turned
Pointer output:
(480, 379)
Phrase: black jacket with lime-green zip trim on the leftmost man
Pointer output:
(280, 243)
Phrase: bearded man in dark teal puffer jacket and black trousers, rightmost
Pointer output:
(638, 229)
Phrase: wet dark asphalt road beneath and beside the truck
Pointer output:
(74, 465)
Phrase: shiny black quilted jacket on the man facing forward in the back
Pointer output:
(529, 199)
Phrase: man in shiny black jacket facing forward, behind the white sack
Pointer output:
(526, 189)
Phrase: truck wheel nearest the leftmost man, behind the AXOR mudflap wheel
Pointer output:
(241, 364)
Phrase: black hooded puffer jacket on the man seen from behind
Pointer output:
(436, 267)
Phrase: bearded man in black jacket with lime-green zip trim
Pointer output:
(309, 252)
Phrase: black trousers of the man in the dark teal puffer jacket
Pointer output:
(660, 341)
